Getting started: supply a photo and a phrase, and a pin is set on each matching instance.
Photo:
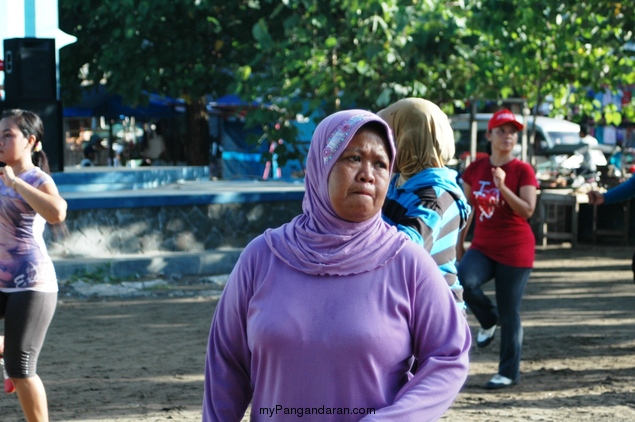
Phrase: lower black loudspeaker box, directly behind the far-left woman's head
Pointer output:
(52, 115)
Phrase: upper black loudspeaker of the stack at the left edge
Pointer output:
(30, 69)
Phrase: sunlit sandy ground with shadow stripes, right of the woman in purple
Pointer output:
(579, 345)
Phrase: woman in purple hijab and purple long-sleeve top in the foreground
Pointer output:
(322, 317)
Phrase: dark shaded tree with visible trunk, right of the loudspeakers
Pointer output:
(174, 48)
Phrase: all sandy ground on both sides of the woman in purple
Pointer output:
(141, 358)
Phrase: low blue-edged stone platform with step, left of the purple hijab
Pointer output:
(157, 220)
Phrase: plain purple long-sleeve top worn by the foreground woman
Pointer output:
(325, 346)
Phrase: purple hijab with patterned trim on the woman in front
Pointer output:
(319, 242)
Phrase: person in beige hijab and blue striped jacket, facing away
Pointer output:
(424, 199)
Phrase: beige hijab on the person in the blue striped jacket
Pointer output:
(422, 133)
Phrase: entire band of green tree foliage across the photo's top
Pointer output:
(312, 57)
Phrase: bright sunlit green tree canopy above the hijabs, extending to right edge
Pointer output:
(323, 55)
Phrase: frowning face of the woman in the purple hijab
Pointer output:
(359, 179)
